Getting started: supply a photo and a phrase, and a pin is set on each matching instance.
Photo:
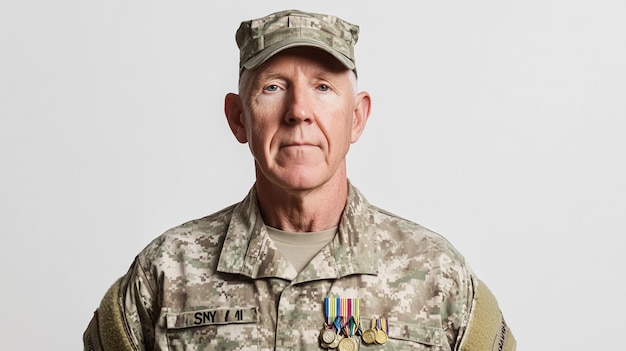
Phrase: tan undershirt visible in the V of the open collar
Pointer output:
(300, 248)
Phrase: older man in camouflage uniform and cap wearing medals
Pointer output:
(304, 262)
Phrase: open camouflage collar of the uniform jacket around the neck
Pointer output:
(249, 251)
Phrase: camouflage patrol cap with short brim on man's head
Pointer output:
(261, 38)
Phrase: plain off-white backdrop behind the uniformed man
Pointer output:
(499, 124)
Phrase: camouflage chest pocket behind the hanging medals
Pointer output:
(409, 336)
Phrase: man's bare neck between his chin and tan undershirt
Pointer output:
(303, 210)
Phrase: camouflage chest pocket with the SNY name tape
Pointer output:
(213, 329)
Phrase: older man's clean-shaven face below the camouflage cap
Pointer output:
(300, 112)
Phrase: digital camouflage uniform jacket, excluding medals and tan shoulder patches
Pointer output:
(218, 283)
